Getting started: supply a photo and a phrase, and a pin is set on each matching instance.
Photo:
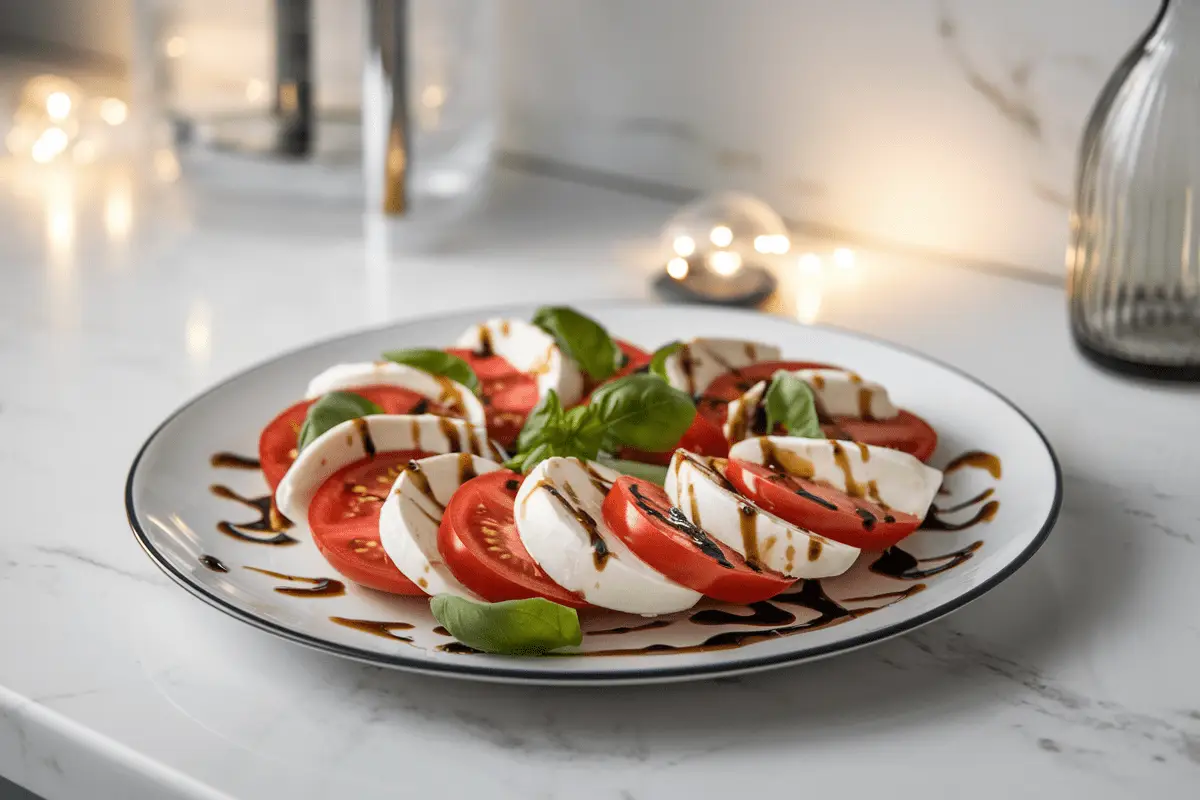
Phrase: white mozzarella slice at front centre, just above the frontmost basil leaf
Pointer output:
(560, 519)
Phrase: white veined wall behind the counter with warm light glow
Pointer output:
(950, 125)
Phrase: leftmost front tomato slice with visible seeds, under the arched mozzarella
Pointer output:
(345, 521)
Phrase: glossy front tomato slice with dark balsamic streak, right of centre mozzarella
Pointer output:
(640, 514)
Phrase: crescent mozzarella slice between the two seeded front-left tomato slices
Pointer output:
(410, 519)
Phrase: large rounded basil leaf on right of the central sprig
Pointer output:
(643, 412)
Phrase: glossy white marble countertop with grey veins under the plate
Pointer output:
(1076, 678)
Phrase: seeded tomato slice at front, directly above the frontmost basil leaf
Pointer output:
(479, 542)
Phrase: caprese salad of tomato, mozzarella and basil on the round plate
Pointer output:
(539, 468)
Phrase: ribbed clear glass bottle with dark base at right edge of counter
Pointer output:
(1135, 260)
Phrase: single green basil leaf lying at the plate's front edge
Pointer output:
(514, 628)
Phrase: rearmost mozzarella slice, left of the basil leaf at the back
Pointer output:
(532, 351)
